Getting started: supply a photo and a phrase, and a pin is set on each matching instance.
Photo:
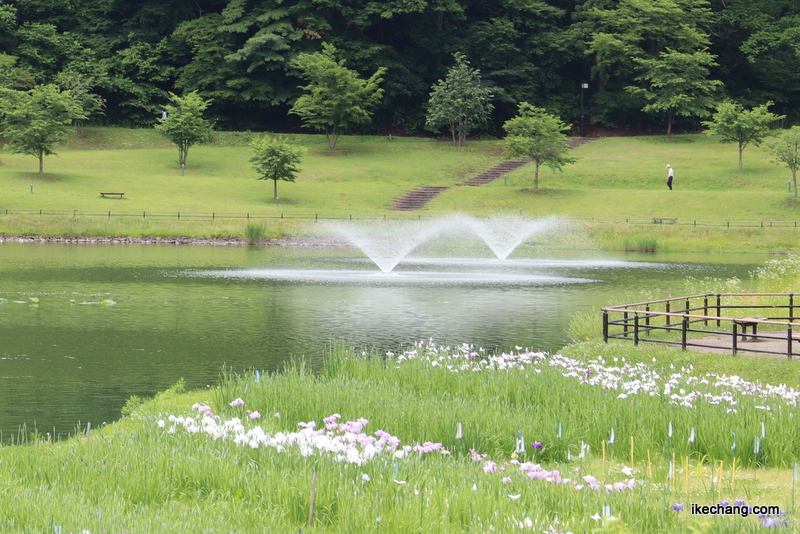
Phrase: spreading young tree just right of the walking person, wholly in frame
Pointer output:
(734, 124)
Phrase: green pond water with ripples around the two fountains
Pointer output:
(185, 311)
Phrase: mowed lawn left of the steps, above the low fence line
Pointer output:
(363, 176)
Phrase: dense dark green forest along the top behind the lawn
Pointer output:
(607, 57)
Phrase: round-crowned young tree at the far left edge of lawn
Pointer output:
(35, 121)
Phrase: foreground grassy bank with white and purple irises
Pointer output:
(521, 462)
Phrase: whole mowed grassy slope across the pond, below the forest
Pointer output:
(619, 178)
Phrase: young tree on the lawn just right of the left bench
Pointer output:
(185, 125)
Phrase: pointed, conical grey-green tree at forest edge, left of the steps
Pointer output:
(460, 101)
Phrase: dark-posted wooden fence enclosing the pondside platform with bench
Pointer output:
(764, 323)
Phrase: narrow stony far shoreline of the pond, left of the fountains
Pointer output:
(310, 242)
